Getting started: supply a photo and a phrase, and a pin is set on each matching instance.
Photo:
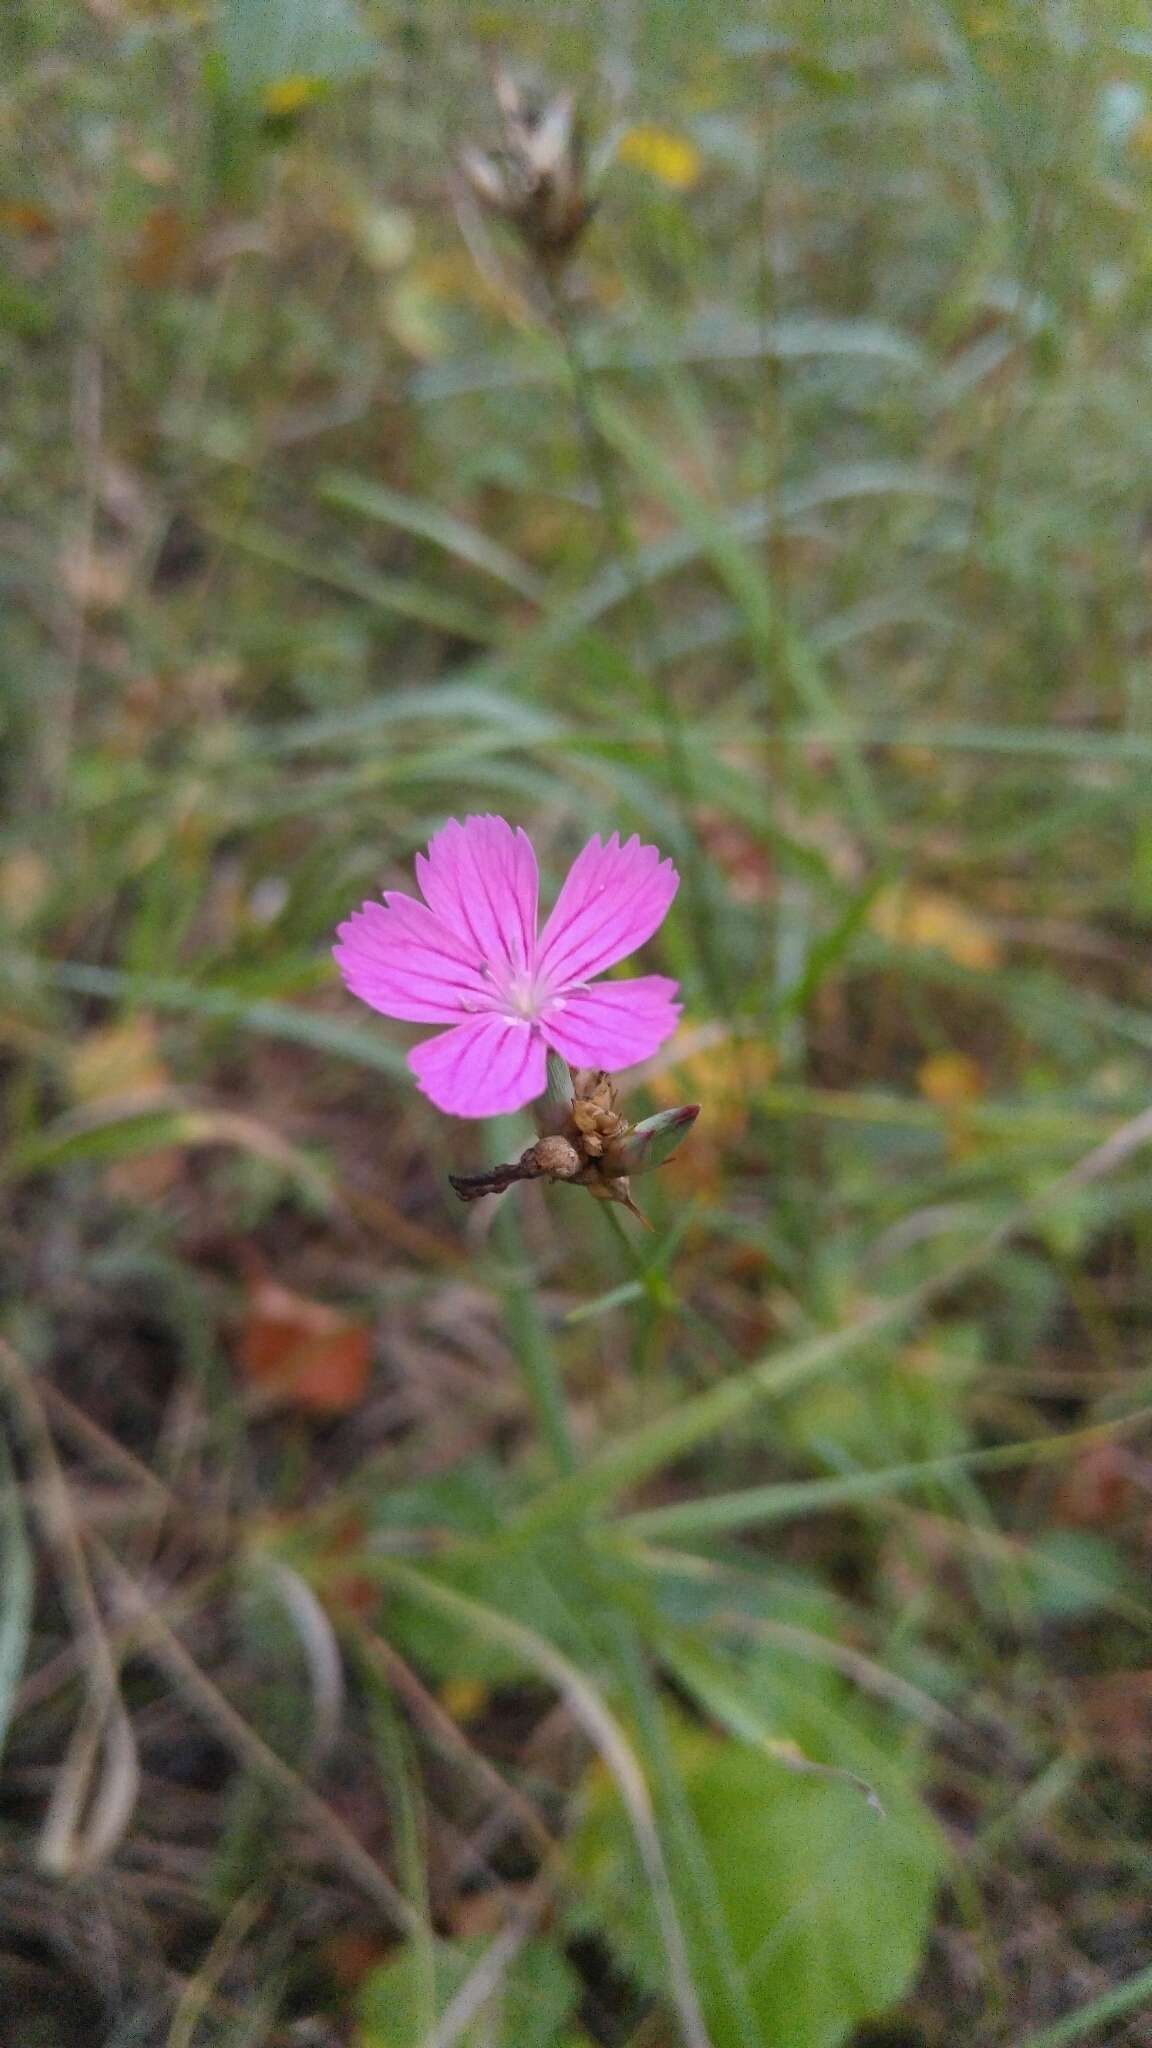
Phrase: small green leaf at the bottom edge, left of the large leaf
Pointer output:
(530, 2004)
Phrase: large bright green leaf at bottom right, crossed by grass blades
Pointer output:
(827, 1904)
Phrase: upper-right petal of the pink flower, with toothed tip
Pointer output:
(614, 900)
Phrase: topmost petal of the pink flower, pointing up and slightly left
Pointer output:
(481, 880)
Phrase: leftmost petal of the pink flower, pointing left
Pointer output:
(403, 962)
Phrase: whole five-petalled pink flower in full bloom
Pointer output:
(470, 957)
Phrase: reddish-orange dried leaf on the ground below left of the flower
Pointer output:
(304, 1353)
